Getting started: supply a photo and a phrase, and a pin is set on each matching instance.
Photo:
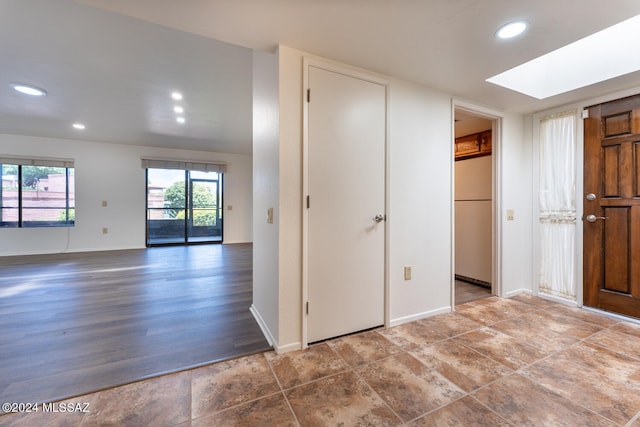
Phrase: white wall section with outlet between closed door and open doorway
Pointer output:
(419, 217)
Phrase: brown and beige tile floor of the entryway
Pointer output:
(494, 362)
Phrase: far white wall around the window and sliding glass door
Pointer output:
(113, 172)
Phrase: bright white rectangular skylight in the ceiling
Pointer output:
(601, 56)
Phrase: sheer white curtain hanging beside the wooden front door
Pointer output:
(557, 205)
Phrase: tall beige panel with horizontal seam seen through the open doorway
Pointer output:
(473, 224)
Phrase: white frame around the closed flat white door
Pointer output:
(308, 62)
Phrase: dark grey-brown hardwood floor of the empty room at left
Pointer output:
(77, 323)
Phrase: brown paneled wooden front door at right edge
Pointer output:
(612, 206)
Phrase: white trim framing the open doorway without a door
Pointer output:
(496, 192)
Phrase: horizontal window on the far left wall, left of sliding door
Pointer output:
(37, 193)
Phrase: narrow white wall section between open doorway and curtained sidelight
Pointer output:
(517, 182)
